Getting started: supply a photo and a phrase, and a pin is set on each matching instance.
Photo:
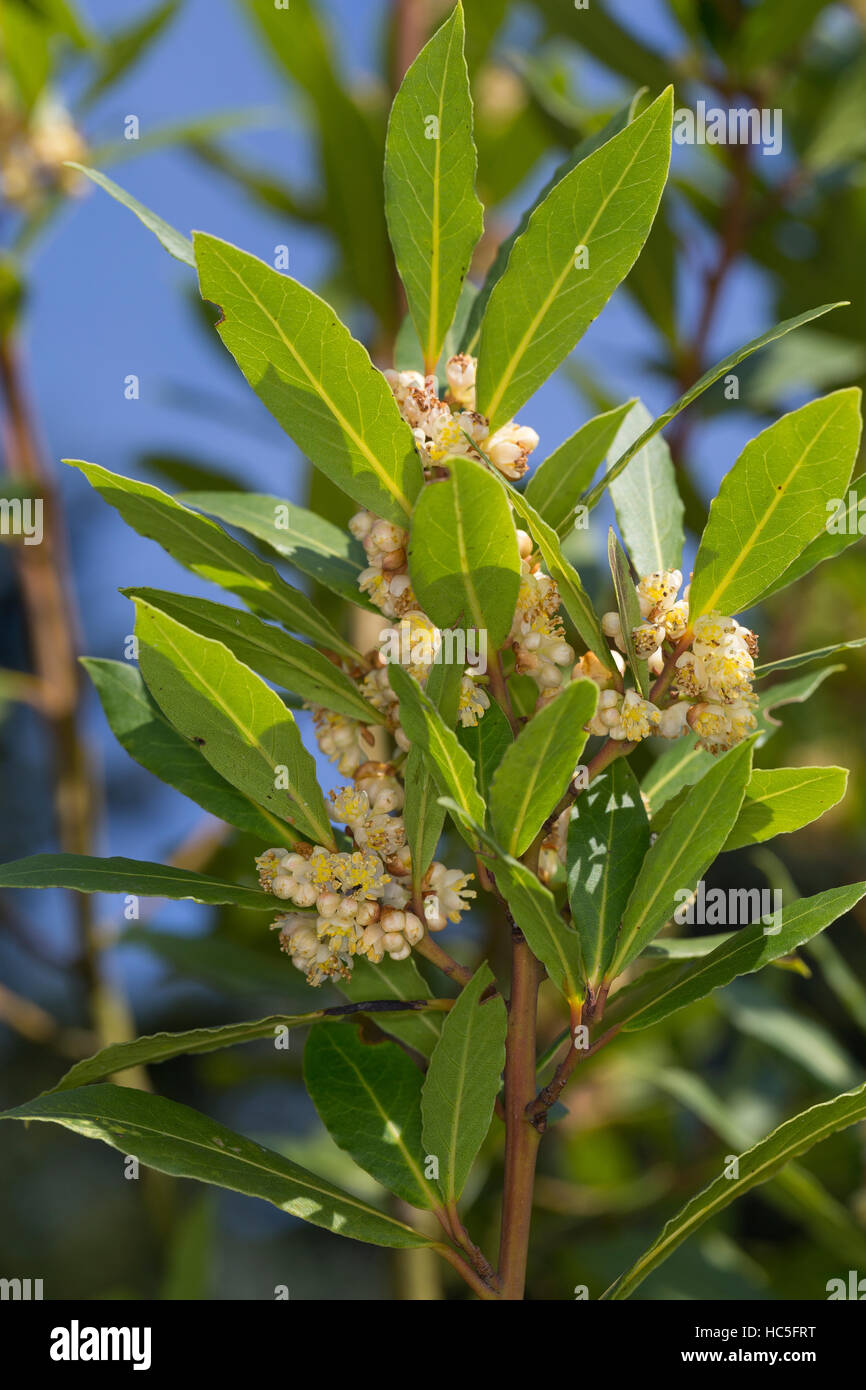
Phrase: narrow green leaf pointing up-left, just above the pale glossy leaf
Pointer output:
(202, 547)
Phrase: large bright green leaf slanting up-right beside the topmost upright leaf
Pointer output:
(546, 301)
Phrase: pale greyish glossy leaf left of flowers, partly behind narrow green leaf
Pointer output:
(315, 547)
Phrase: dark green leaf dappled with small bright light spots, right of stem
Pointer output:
(608, 840)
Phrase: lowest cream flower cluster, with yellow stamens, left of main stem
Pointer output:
(359, 897)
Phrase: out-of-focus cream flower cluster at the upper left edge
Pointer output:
(33, 158)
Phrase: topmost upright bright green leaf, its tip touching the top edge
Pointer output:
(434, 216)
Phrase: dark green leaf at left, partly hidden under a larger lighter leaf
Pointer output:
(141, 728)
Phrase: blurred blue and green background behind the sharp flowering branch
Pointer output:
(270, 130)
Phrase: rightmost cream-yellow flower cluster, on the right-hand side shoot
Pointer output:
(714, 676)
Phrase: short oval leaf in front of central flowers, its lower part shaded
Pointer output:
(464, 557)
